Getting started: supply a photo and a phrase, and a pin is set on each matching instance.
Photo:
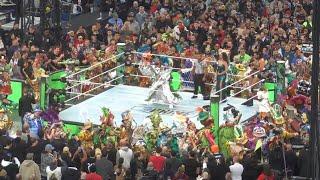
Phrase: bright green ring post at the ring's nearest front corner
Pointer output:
(214, 107)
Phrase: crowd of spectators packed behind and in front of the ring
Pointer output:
(255, 34)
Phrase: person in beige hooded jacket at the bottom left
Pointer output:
(29, 169)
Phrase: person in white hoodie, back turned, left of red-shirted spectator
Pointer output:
(126, 153)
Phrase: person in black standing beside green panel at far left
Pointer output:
(25, 104)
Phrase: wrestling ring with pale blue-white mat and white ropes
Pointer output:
(82, 106)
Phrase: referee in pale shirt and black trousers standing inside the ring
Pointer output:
(199, 77)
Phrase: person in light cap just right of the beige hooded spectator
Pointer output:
(47, 159)
